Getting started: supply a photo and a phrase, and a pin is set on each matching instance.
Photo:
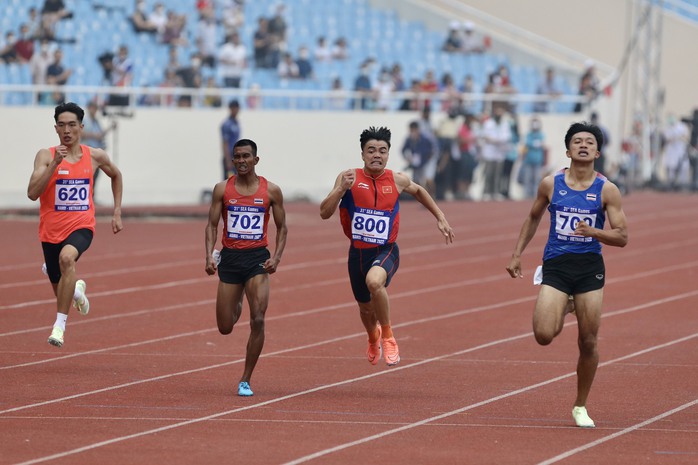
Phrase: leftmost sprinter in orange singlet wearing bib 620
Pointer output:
(63, 181)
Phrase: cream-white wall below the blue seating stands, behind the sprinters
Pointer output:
(171, 156)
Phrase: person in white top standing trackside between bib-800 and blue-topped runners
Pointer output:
(495, 140)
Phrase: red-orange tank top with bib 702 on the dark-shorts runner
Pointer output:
(245, 217)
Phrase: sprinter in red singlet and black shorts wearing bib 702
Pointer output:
(244, 202)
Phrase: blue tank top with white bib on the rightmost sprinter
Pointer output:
(567, 208)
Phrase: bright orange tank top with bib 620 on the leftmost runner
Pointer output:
(66, 204)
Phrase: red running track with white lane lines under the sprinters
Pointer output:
(145, 378)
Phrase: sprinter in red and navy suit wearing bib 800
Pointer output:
(370, 215)
